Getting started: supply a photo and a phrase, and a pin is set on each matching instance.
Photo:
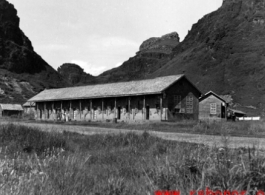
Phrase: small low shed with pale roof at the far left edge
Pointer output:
(10, 110)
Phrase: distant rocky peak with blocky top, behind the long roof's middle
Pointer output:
(152, 55)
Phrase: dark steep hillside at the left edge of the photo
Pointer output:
(23, 72)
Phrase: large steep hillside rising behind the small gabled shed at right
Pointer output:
(224, 52)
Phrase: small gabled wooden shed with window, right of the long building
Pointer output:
(212, 107)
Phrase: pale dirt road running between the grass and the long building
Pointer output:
(233, 142)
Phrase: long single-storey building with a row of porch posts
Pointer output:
(159, 99)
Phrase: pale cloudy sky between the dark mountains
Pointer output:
(101, 34)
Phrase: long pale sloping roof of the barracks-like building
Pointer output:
(141, 87)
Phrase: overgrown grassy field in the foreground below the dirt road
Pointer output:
(37, 162)
